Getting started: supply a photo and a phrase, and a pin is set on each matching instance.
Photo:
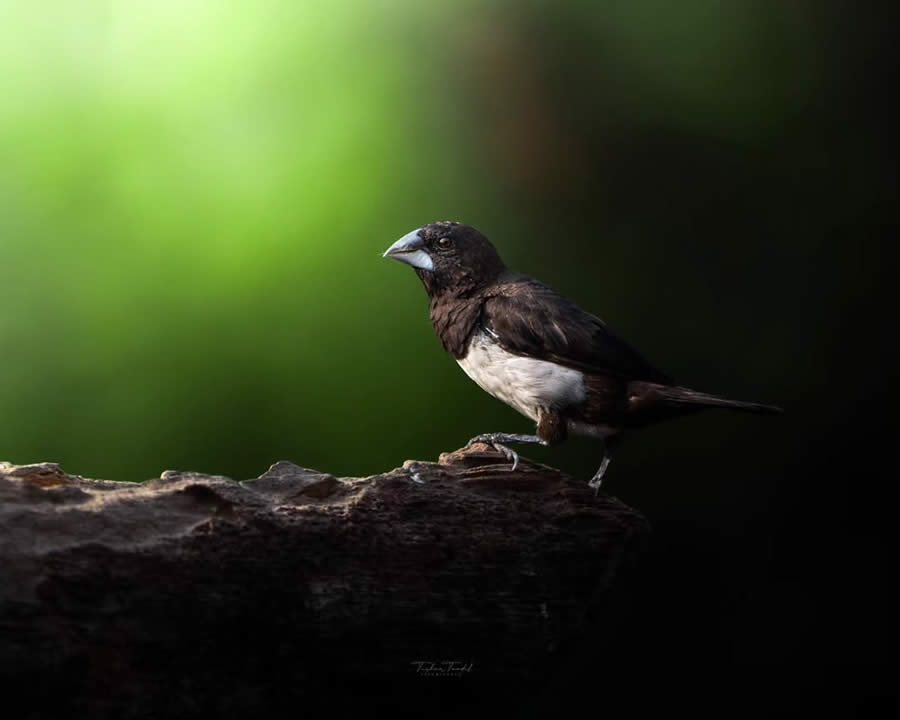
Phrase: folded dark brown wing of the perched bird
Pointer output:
(528, 318)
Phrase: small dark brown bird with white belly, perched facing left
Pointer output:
(536, 350)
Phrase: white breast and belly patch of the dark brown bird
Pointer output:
(524, 383)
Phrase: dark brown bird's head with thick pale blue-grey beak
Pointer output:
(448, 257)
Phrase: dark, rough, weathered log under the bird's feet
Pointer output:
(193, 594)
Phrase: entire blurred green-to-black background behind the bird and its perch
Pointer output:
(194, 198)
